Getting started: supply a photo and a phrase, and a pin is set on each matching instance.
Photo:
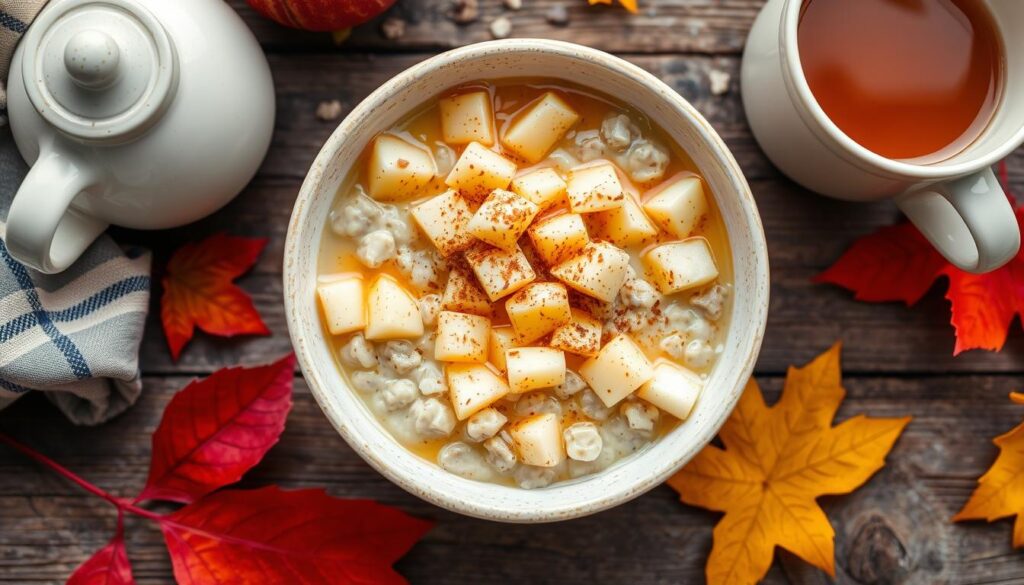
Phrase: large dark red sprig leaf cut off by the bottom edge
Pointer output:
(296, 537)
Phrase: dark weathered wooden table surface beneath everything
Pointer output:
(898, 361)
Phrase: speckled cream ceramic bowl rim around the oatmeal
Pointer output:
(511, 59)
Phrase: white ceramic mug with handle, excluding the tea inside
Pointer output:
(958, 204)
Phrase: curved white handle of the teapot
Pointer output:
(44, 231)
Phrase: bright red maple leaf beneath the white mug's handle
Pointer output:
(897, 264)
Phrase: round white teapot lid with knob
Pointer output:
(100, 70)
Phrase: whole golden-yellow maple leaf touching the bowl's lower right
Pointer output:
(776, 464)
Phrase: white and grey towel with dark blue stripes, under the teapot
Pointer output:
(75, 336)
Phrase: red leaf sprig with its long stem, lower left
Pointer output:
(266, 536)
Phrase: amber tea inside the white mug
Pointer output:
(913, 80)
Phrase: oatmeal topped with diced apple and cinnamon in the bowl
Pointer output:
(526, 283)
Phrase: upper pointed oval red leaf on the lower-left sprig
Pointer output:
(217, 430)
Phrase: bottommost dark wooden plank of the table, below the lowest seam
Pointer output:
(901, 520)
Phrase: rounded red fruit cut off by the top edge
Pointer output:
(321, 15)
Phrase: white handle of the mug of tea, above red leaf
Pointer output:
(970, 221)
